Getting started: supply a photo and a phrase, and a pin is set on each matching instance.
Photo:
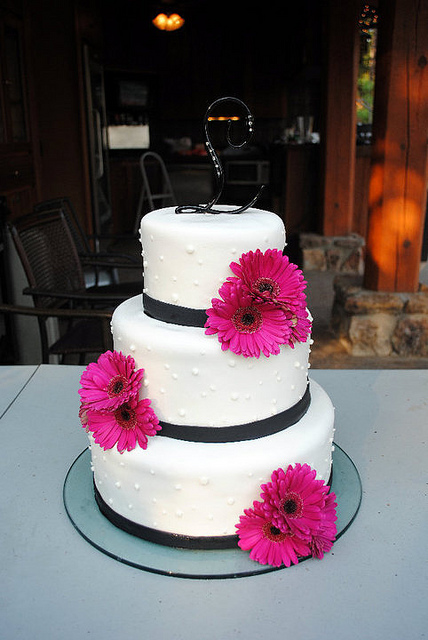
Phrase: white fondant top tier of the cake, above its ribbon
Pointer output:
(187, 255)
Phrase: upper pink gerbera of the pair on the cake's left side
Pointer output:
(110, 382)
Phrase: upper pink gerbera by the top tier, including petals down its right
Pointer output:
(272, 277)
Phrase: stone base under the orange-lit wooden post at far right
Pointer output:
(379, 323)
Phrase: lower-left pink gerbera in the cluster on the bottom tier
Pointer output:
(267, 544)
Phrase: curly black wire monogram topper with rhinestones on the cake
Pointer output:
(209, 208)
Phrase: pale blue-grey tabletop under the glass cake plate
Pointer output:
(372, 585)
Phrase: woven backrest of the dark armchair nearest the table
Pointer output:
(48, 254)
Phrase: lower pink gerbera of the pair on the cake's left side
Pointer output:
(128, 425)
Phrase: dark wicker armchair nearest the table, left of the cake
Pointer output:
(56, 283)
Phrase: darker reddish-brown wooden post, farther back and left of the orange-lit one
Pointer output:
(339, 135)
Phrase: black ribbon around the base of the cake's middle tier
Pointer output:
(238, 433)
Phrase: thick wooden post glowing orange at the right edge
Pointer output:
(398, 179)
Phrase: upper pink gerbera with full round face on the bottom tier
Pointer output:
(294, 500)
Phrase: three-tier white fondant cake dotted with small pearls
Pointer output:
(180, 485)
